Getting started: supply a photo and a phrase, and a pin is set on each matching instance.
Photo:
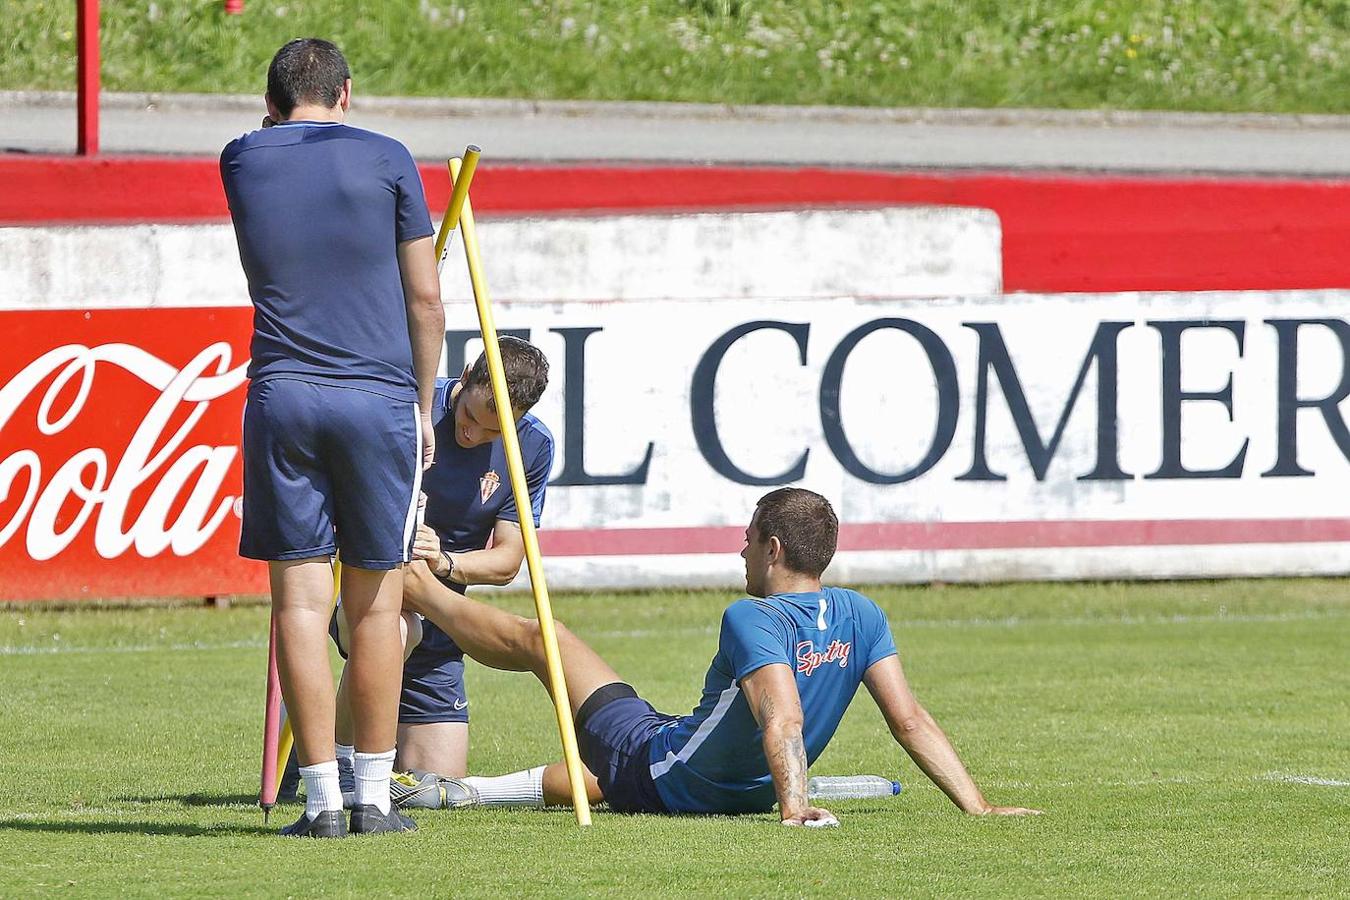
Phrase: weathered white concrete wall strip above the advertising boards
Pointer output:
(908, 252)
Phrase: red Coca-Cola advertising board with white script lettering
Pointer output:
(119, 454)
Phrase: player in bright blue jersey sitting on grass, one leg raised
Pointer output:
(786, 669)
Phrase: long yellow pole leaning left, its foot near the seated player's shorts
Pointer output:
(511, 443)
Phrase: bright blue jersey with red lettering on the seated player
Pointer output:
(713, 759)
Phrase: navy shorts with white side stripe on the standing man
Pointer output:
(330, 469)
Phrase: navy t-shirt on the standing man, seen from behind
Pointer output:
(319, 211)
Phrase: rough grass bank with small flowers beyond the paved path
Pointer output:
(1274, 56)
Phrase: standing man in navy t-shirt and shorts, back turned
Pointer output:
(335, 241)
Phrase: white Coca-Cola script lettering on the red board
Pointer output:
(102, 489)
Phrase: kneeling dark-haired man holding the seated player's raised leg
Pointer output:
(472, 536)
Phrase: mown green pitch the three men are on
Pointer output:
(1172, 733)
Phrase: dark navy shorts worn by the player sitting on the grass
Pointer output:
(615, 729)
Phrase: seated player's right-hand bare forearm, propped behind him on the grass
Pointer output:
(923, 739)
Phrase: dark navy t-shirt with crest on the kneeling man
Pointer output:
(468, 490)
